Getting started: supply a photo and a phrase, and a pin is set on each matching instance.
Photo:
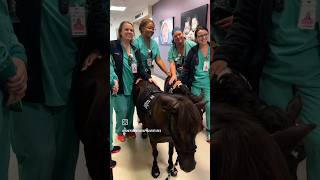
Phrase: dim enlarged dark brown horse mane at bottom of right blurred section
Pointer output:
(244, 150)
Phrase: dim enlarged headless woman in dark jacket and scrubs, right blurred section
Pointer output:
(289, 55)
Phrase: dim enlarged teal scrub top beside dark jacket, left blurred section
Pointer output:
(58, 52)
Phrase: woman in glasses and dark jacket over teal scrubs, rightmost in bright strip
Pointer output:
(195, 72)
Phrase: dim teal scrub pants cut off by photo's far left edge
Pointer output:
(4, 140)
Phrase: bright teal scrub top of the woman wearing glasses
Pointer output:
(202, 78)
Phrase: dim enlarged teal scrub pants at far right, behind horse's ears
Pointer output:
(279, 93)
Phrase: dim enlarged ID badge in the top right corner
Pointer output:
(307, 17)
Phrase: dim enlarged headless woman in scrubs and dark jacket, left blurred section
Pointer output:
(43, 135)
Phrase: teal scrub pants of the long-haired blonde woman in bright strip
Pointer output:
(124, 108)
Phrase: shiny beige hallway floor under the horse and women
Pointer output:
(134, 161)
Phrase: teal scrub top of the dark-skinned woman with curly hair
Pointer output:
(140, 44)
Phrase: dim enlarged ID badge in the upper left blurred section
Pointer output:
(78, 21)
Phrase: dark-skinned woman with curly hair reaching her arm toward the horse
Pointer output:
(150, 49)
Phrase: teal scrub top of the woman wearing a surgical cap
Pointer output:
(173, 54)
